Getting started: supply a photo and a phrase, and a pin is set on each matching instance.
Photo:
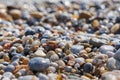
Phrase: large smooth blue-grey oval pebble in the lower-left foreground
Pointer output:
(39, 64)
